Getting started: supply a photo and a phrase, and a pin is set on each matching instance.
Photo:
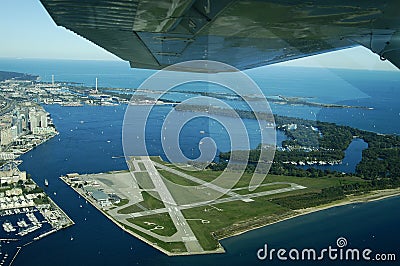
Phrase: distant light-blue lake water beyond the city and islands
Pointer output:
(375, 89)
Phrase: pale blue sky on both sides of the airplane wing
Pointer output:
(28, 31)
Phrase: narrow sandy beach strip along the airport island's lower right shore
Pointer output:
(371, 196)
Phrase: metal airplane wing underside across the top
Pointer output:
(246, 34)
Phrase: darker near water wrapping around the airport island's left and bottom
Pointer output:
(82, 147)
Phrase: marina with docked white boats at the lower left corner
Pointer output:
(27, 214)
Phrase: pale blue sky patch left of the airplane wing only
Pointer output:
(28, 31)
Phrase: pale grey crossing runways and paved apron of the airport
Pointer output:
(125, 185)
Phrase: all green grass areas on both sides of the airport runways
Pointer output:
(225, 219)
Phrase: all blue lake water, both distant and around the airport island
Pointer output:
(90, 136)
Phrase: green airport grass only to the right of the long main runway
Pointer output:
(238, 215)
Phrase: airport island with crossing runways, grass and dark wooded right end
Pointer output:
(138, 200)
